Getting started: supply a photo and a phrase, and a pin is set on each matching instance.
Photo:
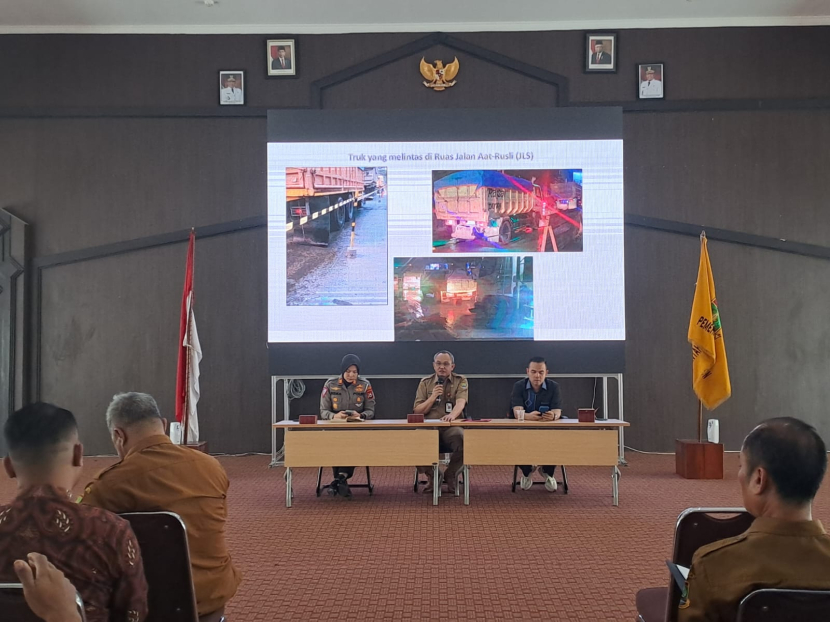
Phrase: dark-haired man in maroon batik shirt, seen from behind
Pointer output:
(95, 549)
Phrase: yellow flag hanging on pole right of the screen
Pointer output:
(710, 374)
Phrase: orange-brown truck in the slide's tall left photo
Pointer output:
(328, 192)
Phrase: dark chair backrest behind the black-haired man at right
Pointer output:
(697, 527)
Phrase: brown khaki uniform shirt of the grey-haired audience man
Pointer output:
(158, 475)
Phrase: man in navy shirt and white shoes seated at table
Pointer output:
(540, 400)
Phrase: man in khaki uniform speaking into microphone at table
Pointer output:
(443, 395)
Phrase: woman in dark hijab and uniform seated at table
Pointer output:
(343, 396)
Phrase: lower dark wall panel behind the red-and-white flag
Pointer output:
(111, 325)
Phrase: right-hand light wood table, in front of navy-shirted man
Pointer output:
(564, 442)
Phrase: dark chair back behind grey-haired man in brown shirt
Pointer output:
(162, 538)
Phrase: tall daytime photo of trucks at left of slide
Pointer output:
(336, 242)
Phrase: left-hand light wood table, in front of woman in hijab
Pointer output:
(377, 442)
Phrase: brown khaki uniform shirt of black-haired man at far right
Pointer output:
(770, 554)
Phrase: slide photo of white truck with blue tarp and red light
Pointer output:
(507, 211)
